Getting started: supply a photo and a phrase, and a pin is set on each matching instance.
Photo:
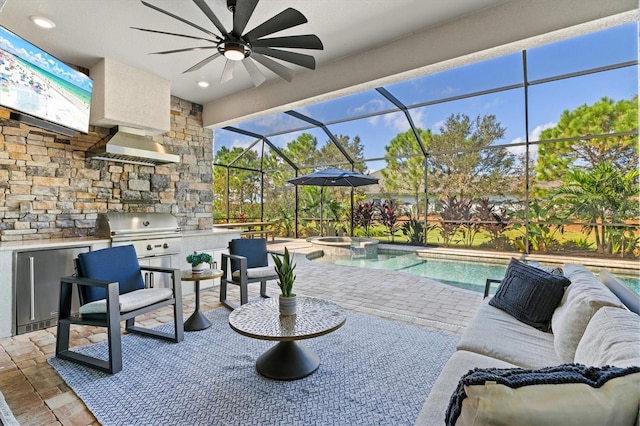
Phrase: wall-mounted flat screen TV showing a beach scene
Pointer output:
(42, 90)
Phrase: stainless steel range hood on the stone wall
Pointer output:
(129, 145)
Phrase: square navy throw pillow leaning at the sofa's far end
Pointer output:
(529, 294)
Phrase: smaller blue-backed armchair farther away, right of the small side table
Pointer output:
(247, 262)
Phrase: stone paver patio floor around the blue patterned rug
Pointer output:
(37, 395)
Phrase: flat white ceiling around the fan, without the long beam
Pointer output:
(88, 30)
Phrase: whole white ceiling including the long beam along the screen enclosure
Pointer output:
(367, 43)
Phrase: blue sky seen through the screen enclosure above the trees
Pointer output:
(547, 101)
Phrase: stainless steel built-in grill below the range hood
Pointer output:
(155, 236)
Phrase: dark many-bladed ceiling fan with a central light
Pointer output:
(251, 46)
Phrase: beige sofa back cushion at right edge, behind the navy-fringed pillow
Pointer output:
(611, 338)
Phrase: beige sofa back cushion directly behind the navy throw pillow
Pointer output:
(580, 302)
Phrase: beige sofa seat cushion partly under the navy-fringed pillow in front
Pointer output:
(461, 362)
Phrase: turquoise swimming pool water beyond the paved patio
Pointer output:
(458, 273)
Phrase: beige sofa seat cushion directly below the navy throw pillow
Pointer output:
(497, 334)
